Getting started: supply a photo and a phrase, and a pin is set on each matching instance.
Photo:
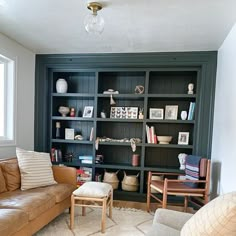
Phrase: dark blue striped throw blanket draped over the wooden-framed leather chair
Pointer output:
(192, 169)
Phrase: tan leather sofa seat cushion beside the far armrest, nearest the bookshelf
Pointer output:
(60, 191)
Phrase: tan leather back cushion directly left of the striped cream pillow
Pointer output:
(11, 173)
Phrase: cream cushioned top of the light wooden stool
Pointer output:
(93, 189)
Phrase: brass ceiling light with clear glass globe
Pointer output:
(94, 23)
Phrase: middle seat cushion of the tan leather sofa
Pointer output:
(32, 202)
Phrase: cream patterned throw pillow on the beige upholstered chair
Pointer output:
(217, 218)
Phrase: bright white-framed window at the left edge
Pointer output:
(7, 101)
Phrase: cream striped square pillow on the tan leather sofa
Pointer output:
(35, 169)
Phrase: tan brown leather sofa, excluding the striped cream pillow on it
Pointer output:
(25, 212)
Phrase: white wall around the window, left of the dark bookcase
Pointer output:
(25, 95)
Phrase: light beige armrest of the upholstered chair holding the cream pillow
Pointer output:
(173, 219)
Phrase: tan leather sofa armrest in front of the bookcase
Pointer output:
(64, 174)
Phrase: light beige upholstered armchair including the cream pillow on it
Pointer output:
(217, 218)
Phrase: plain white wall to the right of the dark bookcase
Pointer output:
(224, 129)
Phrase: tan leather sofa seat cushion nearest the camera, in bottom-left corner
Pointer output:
(12, 220)
